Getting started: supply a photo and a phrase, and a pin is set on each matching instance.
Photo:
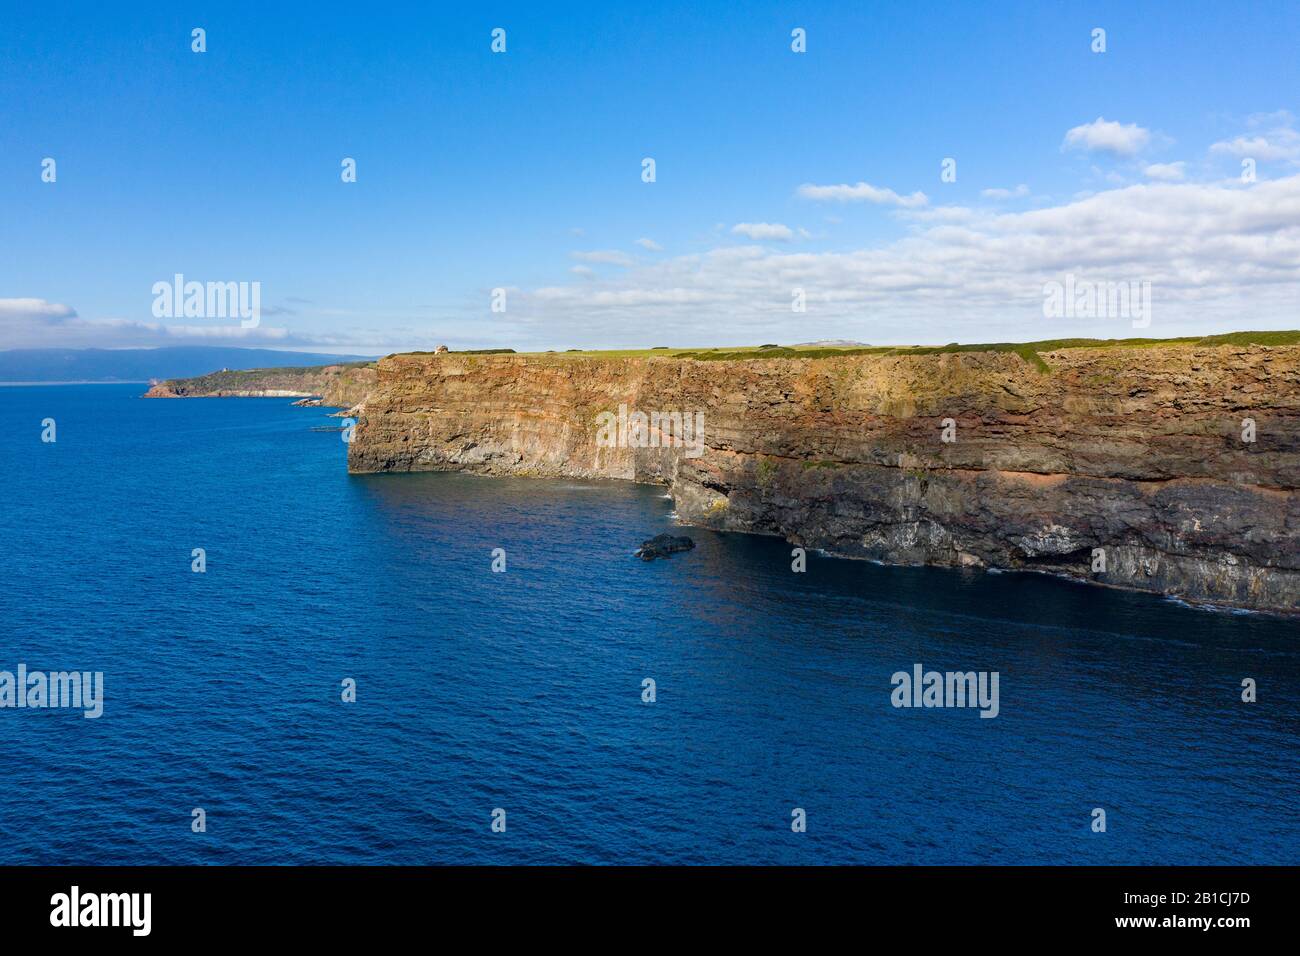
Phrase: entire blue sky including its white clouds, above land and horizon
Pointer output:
(522, 171)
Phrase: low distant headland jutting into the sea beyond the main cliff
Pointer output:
(344, 386)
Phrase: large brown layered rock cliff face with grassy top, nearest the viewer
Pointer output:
(1124, 466)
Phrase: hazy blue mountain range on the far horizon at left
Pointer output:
(142, 365)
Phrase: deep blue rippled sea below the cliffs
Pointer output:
(523, 690)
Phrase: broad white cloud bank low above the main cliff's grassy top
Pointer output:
(1216, 254)
